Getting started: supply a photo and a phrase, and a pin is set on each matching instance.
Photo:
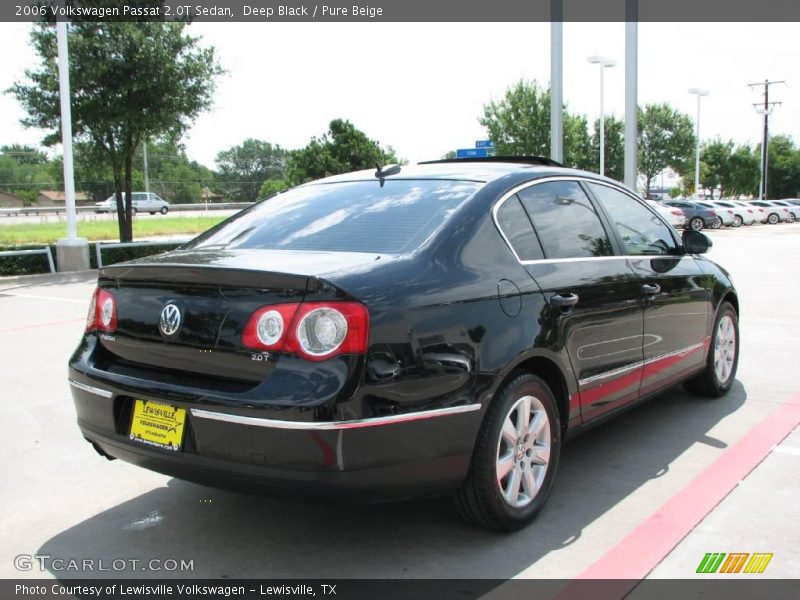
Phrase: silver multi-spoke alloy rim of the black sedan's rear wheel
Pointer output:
(523, 451)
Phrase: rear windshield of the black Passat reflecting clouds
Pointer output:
(360, 216)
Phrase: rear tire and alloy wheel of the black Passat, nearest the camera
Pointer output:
(530, 456)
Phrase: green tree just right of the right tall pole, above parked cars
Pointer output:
(666, 140)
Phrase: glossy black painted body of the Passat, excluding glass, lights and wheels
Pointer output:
(448, 324)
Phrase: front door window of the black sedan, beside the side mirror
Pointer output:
(641, 231)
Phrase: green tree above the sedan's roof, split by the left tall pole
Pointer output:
(519, 124)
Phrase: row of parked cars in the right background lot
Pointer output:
(713, 214)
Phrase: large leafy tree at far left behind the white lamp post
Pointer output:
(130, 82)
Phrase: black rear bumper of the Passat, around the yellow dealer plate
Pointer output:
(386, 458)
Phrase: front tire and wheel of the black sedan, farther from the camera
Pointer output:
(723, 357)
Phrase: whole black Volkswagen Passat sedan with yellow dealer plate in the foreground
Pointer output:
(418, 330)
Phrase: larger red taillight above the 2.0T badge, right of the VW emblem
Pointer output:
(314, 330)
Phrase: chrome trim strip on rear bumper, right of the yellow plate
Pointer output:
(333, 425)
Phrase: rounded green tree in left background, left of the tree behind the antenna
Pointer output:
(242, 169)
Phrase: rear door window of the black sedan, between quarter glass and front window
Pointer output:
(565, 220)
